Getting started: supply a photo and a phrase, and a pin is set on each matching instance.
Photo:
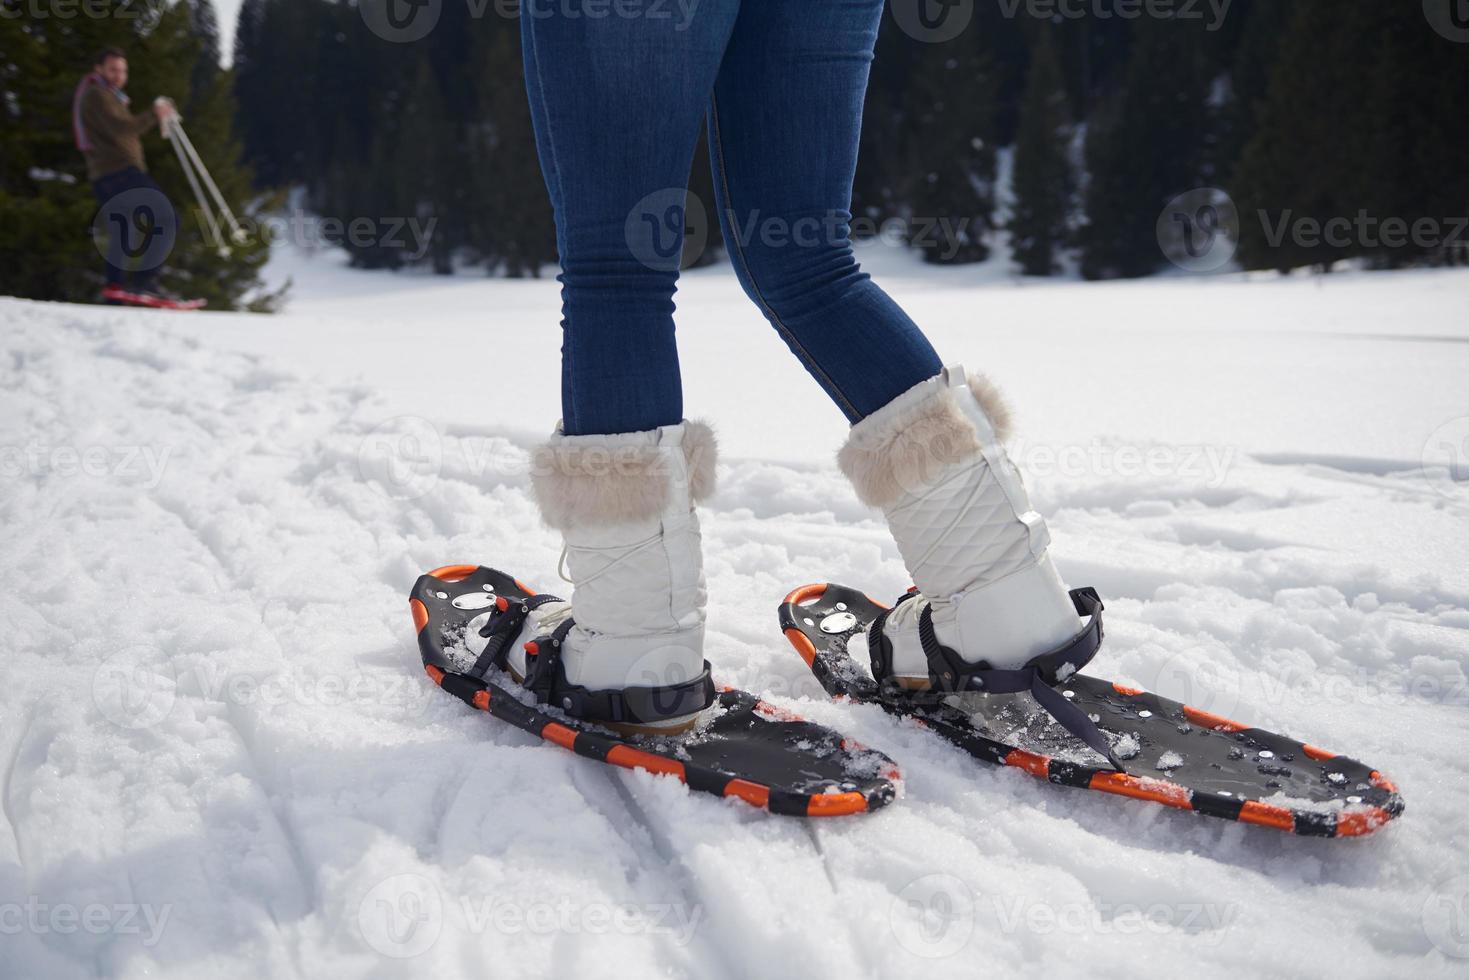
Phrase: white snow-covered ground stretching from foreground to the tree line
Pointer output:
(221, 757)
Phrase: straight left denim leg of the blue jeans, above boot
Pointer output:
(618, 95)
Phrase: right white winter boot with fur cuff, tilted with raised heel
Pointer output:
(934, 464)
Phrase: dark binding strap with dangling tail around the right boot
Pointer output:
(948, 674)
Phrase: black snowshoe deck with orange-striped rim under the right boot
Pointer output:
(1176, 754)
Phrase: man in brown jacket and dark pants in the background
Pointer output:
(111, 137)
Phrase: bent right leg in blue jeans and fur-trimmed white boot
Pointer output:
(926, 444)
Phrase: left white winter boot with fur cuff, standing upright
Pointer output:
(634, 655)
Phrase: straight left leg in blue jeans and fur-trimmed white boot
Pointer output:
(618, 95)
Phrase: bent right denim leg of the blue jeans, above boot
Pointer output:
(784, 139)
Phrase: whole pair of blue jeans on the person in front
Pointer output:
(618, 95)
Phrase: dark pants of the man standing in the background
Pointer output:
(140, 224)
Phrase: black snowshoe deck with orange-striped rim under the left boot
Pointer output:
(741, 749)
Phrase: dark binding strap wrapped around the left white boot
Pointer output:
(546, 678)
